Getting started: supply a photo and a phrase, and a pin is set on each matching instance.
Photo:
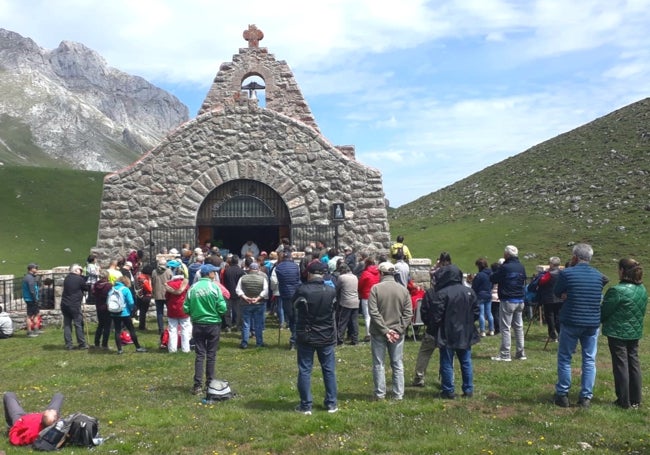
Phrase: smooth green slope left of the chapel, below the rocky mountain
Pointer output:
(49, 216)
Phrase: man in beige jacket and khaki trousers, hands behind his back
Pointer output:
(390, 309)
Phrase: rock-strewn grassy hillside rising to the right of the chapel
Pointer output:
(587, 185)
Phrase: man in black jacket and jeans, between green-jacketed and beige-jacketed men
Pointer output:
(315, 305)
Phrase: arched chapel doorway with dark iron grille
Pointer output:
(242, 210)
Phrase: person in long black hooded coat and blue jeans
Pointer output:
(454, 309)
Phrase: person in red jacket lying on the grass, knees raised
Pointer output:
(23, 427)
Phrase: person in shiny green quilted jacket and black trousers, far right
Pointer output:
(622, 315)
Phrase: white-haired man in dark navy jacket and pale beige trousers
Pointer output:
(510, 278)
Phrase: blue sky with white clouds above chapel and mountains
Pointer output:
(429, 92)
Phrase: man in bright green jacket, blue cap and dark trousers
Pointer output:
(206, 306)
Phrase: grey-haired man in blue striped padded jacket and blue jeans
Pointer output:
(581, 288)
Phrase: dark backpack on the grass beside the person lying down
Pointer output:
(76, 429)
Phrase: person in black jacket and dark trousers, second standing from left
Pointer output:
(74, 286)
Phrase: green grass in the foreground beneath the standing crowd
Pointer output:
(144, 405)
